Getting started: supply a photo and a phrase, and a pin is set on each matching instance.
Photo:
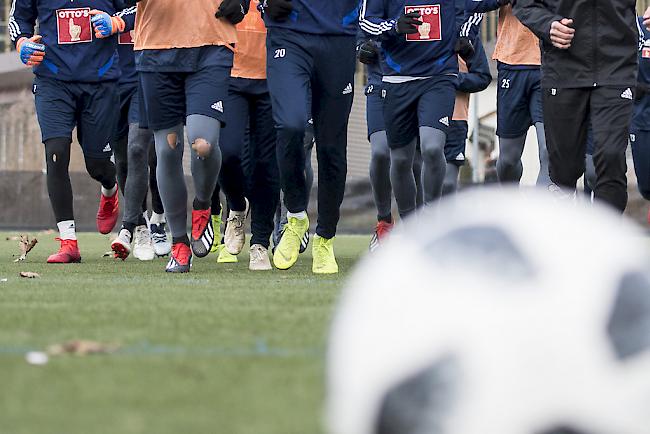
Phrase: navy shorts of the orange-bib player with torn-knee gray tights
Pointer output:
(170, 97)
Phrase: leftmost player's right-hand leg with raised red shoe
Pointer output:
(96, 121)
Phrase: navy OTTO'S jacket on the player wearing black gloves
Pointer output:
(432, 56)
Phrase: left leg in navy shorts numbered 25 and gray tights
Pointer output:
(513, 121)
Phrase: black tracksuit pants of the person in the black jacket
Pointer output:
(567, 114)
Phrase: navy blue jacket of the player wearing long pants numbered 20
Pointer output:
(322, 17)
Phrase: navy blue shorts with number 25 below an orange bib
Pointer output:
(519, 101)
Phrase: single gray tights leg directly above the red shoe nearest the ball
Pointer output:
(380, 174)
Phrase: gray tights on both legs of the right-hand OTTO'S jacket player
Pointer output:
(432, 144)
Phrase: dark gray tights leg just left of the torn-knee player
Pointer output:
(137, 180)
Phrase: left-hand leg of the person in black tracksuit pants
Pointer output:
(565, 123)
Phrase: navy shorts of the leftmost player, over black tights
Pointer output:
(91, 107)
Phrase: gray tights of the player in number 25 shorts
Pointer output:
(509, 166)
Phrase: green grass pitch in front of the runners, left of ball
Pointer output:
(220, 350)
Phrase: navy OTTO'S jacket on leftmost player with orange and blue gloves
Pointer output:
(72, 52)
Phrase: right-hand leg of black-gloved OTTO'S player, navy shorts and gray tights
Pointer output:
(435, 109)
